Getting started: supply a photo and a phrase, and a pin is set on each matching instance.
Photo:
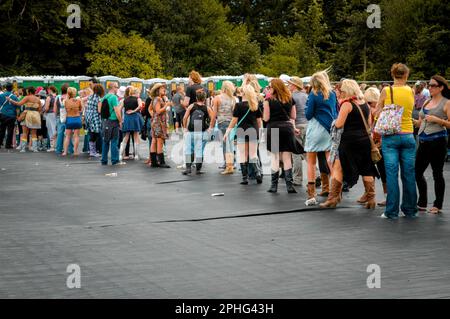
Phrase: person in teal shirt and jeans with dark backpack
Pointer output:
(111, 125)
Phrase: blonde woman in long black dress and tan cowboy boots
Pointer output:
(354, 158)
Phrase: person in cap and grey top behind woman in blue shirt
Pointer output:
(299, 98)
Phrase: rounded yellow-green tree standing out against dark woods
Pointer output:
(124, 56)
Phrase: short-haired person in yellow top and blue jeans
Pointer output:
(399, 150)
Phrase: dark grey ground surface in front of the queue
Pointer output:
(153, 233)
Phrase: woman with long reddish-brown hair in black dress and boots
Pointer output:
(280, 116)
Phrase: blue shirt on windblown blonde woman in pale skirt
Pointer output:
(324, 111)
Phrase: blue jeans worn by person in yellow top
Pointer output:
(400, 150)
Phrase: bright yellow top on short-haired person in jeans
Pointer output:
(403, 96)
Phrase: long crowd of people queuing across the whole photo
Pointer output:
(332, 128)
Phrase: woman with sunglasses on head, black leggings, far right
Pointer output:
(433, 124)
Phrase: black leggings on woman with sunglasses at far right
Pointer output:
(434, 153)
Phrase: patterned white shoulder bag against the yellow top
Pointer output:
(390, 119)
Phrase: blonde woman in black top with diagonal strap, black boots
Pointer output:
(248, 117)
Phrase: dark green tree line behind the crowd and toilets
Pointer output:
(225, 37)
